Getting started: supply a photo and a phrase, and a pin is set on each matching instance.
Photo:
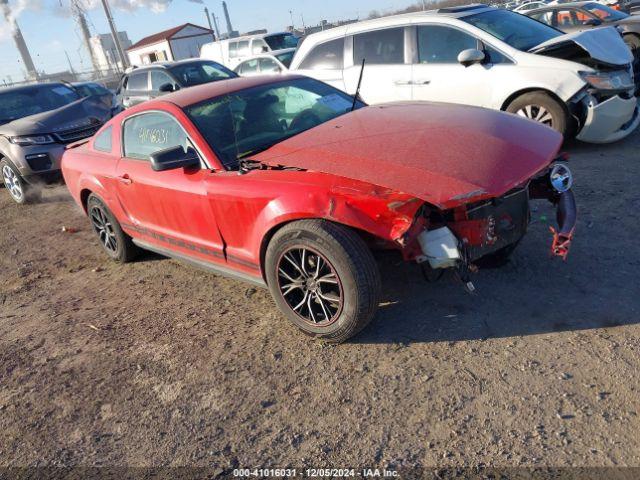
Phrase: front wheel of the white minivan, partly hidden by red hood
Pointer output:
(542, 108)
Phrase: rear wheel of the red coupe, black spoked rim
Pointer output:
(117, 244)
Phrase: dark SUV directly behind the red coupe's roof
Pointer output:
(145, 83)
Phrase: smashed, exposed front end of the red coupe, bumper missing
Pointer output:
(459, 237)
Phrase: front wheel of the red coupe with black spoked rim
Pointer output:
(323, 278)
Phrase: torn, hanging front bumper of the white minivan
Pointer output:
(609, 121)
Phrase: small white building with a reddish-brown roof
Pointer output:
(177, 43)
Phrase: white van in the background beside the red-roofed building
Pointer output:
(234, 50)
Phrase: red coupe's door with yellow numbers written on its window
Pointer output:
(170, 208)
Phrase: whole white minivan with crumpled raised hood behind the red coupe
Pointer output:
(580, 84)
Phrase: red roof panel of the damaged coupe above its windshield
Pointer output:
(192, 95)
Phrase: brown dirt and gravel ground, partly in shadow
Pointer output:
(156, 364)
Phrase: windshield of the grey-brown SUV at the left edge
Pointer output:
(20, 103)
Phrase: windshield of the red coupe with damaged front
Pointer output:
(252, 120)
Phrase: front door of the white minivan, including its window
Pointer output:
(439, 77)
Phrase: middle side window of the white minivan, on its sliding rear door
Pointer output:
(380, 47)
